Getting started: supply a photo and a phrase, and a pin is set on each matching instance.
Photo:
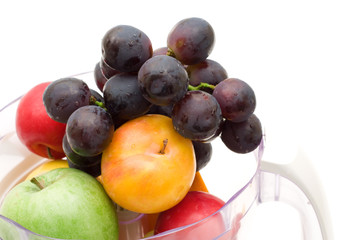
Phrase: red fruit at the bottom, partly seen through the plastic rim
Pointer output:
(195, 206)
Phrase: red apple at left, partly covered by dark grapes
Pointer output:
(35, 129)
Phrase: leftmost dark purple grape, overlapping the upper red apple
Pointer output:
(63, 96)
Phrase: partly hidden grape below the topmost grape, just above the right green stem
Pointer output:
(208, 71)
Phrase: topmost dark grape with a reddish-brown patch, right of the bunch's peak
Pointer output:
(191, 40)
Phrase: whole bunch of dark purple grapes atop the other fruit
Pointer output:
(177, 80)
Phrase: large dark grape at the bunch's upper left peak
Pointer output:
(126, 48)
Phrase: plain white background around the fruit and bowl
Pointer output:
(302, 58)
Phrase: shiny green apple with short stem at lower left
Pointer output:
(63, 203)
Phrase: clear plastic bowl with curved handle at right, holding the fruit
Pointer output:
(242, 180)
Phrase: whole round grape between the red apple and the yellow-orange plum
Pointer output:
(89, 130)
